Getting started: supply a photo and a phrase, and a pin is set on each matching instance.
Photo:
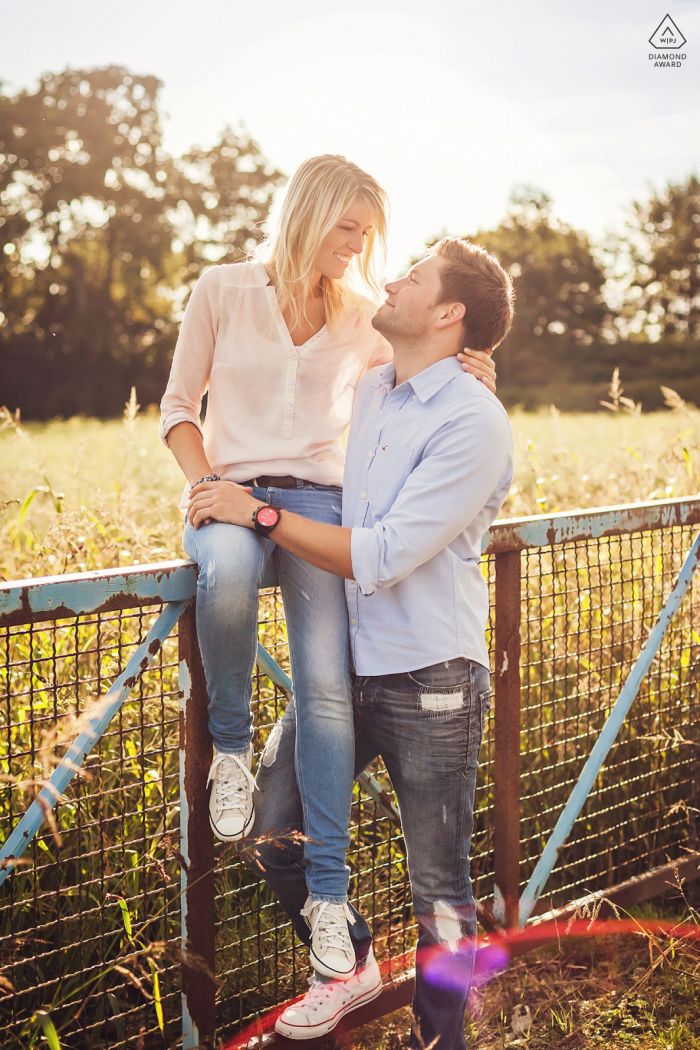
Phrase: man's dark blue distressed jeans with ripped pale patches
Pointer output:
(428, 726)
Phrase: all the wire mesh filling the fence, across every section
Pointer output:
(91, 929)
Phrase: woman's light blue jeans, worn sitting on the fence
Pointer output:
(231, 562)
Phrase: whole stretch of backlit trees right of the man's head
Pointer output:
(584, 310)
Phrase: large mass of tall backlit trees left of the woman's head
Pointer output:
(103, 234)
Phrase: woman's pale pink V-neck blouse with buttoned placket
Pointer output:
(273, 408)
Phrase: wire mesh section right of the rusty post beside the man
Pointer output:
(588, 611)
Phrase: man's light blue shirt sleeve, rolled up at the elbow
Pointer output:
(462, 468)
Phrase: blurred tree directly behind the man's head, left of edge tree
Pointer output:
(561, 316)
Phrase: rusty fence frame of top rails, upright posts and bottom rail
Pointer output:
(175, 583)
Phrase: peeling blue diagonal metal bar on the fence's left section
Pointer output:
(105, 710)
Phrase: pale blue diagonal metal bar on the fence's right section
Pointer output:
(608, 736)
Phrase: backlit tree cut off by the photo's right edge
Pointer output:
(665, 244)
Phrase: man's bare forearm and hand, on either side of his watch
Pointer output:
(326, 547)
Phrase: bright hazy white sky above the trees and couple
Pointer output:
(451, 104)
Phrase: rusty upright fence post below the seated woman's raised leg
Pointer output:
(197, 845)
